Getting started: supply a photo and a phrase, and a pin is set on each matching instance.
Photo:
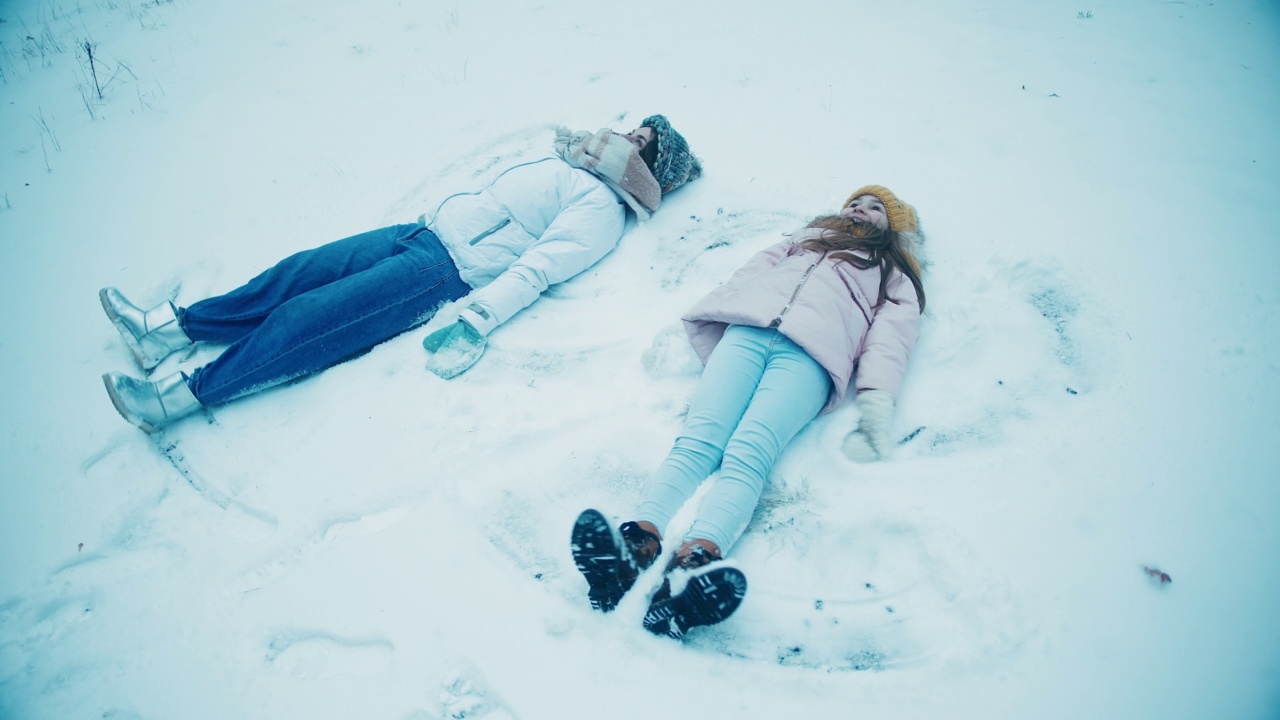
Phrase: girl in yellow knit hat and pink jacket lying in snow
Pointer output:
(781, 341)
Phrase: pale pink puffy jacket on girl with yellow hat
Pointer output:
(826, 307)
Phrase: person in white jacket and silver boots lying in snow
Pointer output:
(537, 225)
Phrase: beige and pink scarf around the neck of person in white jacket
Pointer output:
(616, 162)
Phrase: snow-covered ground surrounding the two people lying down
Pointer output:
(1096, 390)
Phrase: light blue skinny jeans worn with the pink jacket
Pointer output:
(757, 393)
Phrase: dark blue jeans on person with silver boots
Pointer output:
(319, 308)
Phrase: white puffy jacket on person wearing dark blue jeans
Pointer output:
(537, 225)
